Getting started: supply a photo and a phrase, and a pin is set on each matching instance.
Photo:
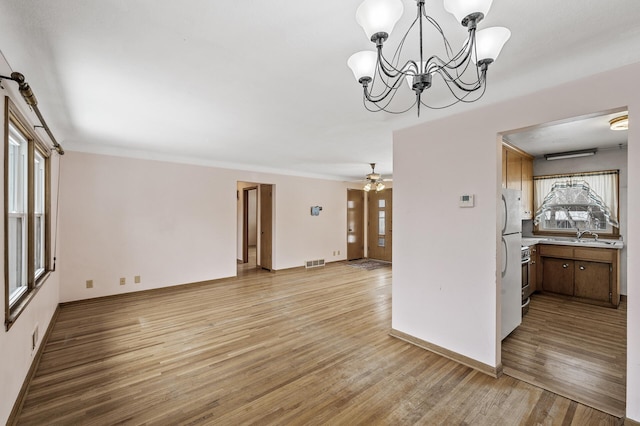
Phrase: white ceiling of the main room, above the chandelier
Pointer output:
(263, 85)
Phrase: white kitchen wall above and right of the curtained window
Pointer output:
(604, 160)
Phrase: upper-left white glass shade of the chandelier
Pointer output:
(379, 16)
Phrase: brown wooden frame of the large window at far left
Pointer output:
(34, 278)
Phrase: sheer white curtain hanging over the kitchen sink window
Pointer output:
(605, 184)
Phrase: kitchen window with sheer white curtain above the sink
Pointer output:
(580, 201)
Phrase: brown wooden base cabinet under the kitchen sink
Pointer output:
(586, 273)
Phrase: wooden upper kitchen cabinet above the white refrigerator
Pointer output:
(517, 173)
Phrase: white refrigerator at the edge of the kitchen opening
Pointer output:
(511, 290)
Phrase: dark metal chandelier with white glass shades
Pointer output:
(463, 72)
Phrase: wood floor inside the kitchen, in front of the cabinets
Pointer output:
(573, 349)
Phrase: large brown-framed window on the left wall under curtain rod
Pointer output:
(26, 215)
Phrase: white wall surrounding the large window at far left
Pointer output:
(15, 344)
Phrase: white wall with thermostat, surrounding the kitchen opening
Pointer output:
(445, 288)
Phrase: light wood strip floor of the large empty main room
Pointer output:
(292, 347)
